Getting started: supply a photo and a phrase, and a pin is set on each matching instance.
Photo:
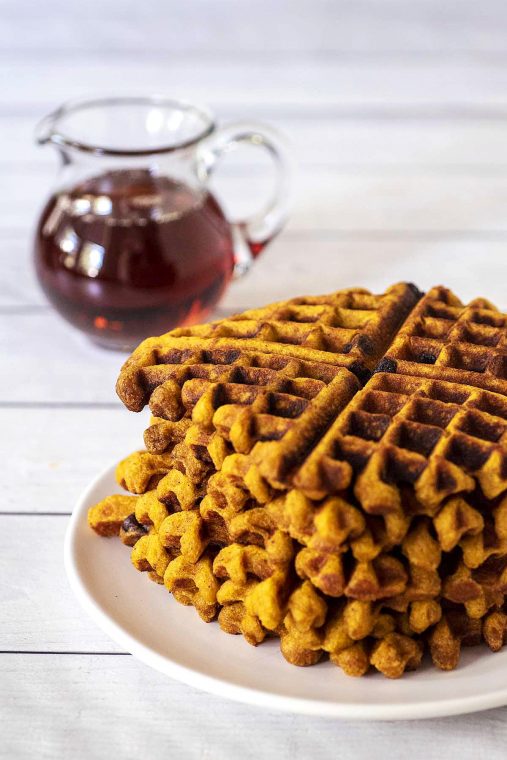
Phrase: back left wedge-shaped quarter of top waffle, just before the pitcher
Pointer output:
(350, 328)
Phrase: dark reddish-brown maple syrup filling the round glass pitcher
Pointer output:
(129, 254)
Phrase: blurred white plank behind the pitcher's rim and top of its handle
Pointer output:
(386, 146)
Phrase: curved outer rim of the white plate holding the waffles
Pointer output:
(247, 695)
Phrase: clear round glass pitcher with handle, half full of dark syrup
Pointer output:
(132, 242)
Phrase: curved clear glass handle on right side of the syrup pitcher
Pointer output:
(250, 236)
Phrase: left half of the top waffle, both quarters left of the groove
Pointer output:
(244, 396)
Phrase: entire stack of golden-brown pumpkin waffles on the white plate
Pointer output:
(329, 470)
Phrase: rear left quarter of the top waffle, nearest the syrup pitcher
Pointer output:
(350, 328)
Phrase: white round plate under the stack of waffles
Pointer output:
(143, 618)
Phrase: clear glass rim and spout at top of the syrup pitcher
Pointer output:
(47, 131)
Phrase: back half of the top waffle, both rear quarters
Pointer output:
(440, 338)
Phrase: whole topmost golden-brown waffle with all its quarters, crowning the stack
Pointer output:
(306, 423)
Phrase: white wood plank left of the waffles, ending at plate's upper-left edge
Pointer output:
(52, 453)
